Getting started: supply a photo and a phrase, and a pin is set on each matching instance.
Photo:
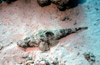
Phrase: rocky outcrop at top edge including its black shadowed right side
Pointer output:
(62, 5)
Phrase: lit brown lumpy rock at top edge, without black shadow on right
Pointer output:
(61, 4)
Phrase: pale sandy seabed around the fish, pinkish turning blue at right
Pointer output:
(20, 19)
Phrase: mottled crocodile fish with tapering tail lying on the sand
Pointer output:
(44, 39)
